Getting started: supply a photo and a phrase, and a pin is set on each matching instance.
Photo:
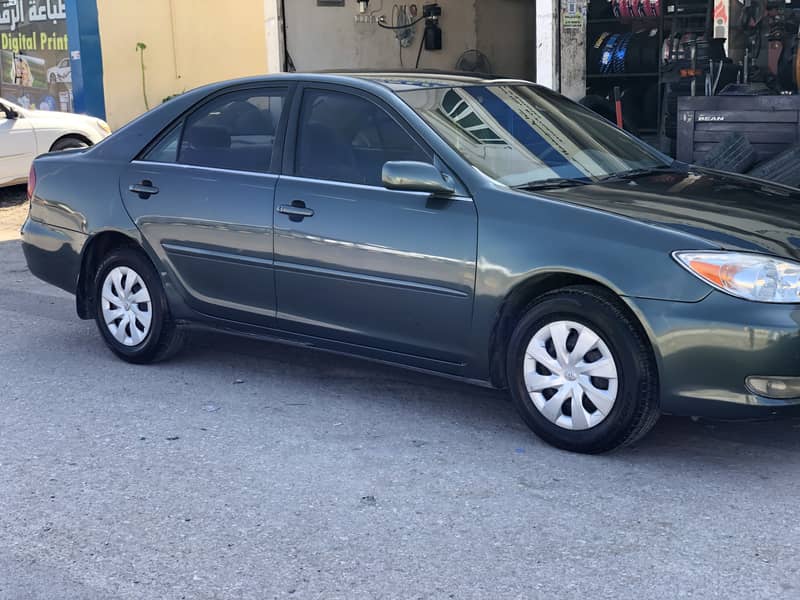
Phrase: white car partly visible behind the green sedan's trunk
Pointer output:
(25, 133)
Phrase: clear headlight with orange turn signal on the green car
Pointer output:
(749, 276)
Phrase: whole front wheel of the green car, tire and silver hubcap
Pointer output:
(581, 372)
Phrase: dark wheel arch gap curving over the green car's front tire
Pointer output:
(527, 291)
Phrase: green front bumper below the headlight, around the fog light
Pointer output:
(706, 350)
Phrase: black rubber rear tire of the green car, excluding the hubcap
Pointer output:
(164, 337)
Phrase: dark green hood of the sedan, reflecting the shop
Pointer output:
(730, 211)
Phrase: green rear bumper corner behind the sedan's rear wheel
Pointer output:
(53, 254)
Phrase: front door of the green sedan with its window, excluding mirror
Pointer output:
(356, 262)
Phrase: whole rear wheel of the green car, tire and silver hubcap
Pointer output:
(131, 309)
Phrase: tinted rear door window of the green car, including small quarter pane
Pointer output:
(235, 131)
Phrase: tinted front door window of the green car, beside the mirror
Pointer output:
(342, 137)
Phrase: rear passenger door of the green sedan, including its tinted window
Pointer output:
(202, 196)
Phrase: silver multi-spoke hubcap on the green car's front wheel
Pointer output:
(571, 375)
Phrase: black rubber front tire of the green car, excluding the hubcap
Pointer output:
(625, 347)
